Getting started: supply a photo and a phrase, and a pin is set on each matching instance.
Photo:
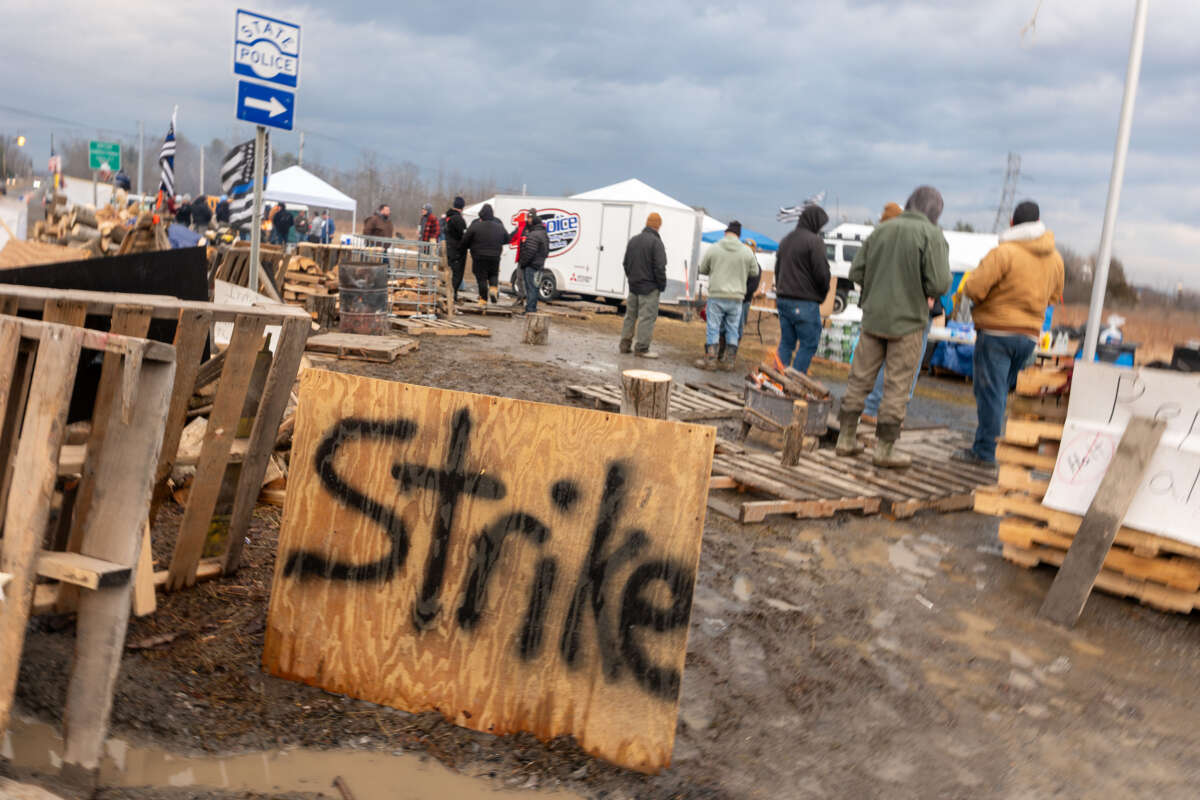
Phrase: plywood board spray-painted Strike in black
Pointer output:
(513, 566)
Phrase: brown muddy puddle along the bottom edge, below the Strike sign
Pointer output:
(32, 745)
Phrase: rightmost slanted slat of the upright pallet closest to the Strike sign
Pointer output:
(277, 394)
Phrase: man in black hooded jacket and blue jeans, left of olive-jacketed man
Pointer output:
(802, 282)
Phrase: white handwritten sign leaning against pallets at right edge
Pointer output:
(1103, 400)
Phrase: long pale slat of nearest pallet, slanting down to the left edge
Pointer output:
(29, 510)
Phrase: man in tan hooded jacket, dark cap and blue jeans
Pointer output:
(1011, 291)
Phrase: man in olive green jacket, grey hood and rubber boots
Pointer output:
(902, 268)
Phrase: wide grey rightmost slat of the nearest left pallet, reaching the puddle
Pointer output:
(113, 532)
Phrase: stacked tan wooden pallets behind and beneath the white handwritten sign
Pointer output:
(1159, 572)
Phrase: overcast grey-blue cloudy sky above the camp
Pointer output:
(735, 107)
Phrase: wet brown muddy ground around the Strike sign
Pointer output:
(827, 659)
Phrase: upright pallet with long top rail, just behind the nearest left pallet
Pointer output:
(232, 372)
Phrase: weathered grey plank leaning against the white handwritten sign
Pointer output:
(1073, 585)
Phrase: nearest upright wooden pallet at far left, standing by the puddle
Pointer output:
(38, 380)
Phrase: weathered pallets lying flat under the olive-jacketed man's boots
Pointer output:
(823, 483)
